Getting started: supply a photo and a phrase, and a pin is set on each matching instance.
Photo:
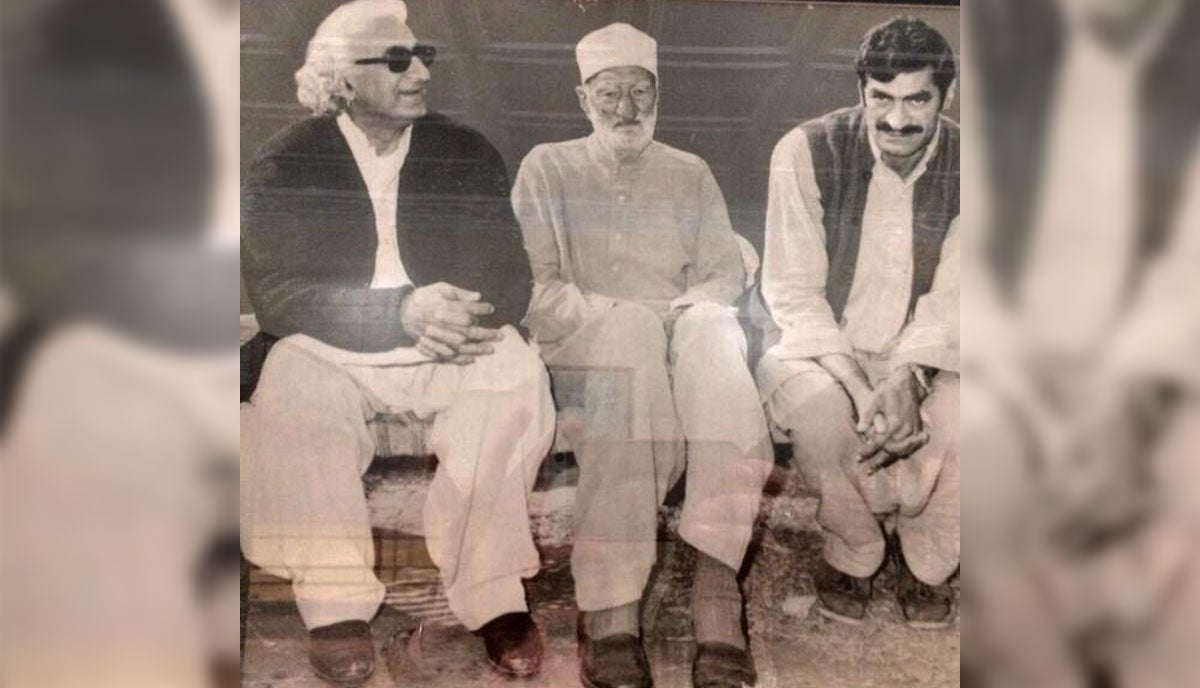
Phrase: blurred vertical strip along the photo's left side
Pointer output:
(119, 440)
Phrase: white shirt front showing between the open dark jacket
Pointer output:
(382, 177)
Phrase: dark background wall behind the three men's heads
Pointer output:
(735, 75)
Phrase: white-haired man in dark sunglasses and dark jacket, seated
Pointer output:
(381, 252)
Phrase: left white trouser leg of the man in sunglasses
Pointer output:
(304, 514)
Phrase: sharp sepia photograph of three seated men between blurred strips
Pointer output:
(599, 344)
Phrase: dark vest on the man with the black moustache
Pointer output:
(843, 163)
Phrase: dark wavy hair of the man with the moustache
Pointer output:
(905, 45)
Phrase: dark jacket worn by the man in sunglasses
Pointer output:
(309, 234)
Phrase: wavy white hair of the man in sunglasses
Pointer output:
(321, 82)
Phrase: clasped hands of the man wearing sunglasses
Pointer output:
(443, 321)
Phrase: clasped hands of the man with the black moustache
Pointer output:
(890, 422)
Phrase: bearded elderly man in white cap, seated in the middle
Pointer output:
(637, 271)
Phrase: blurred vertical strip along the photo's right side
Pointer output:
(1081, 343)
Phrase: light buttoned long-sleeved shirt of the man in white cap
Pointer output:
(598, 231)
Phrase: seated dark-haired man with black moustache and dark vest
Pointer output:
(862, 274)
